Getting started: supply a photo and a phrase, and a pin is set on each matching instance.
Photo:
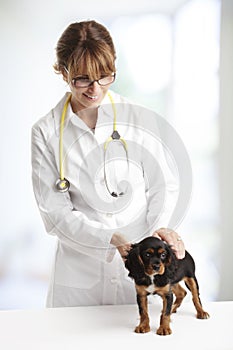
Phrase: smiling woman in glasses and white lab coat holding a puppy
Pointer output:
(97, 175)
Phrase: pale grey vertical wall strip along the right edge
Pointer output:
(225, 152)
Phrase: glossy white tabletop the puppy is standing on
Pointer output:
(103, 327)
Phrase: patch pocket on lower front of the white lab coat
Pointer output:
(75, 270)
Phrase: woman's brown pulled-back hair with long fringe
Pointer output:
(85, 48)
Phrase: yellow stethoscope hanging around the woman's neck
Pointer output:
(62, 184)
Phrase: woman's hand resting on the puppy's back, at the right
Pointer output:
(173, 239)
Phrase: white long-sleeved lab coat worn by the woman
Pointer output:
(87, 269)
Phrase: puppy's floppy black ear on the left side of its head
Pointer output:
(135, 264)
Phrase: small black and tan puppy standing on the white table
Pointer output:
(156, 270)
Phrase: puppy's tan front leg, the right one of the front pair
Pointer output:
(164, 328)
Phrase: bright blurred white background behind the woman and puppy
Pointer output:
(174, 56)
